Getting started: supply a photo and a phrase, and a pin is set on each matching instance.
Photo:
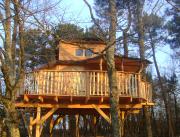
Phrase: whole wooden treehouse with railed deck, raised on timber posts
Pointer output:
(77, 84)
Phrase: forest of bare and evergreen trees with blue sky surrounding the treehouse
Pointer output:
(148, 29)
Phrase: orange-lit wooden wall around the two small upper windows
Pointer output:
(67, 51)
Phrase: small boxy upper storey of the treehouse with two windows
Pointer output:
(79, 49)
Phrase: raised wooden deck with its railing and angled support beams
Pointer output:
(58, 93)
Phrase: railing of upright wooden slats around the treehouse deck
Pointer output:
(85, 83)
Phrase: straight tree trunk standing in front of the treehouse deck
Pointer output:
(114, 96)
